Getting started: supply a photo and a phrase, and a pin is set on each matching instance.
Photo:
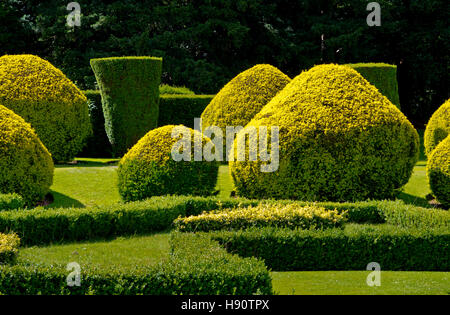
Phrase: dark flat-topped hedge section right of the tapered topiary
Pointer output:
(182, 109)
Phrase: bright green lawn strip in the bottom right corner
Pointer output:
(354, 282)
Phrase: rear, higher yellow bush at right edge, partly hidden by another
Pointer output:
(438, 127)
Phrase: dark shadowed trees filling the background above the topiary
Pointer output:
(205, 43)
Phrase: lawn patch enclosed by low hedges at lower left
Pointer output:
(123, 252)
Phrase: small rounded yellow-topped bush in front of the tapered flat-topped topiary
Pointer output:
(148, 169)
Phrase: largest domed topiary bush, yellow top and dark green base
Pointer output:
(340, 139)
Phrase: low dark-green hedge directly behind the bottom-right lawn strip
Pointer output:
(353, 248)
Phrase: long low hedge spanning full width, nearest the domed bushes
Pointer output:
(44, 226)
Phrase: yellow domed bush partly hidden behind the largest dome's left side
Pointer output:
(244, 96)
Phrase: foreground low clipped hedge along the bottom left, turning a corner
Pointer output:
(197, 265)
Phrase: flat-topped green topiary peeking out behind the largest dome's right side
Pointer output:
(383, 76)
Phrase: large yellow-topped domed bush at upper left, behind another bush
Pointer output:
(46, 98)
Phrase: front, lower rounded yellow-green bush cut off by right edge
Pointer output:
(438, 171)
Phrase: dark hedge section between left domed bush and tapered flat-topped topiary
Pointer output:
(98, 143)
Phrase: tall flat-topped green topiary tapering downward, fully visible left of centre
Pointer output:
(130, 96)
